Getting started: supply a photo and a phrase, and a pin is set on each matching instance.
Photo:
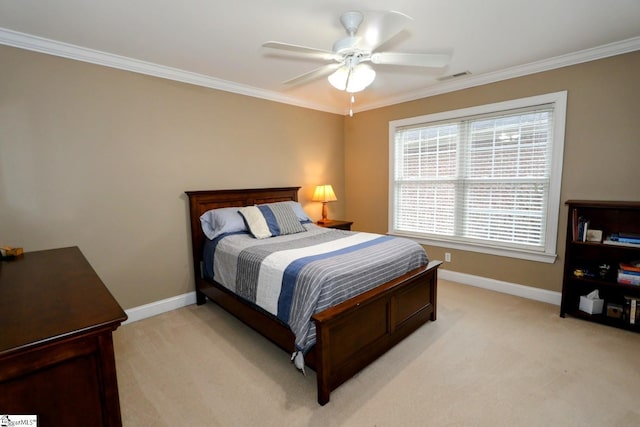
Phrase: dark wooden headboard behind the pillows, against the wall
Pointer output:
(203, 201)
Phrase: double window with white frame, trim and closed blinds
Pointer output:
(485, 179)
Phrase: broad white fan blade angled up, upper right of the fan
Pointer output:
(380, 27)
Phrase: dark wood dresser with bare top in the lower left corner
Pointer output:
(56, 347)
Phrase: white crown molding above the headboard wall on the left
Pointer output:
(79, 53)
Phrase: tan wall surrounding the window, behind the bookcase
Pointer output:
(601, 159)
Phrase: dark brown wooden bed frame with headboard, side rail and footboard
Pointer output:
(349, 336)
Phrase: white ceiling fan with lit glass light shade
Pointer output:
(349, 70)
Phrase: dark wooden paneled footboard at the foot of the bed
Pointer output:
(353, 334)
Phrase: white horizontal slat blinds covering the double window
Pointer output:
(483, 178)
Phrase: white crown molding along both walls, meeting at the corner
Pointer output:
(70, 51)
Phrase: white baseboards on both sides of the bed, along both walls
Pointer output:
(173, 303)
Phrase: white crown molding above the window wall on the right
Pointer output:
(586, 55)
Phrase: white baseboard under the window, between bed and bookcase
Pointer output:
(528, 292)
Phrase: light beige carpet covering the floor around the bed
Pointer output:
(490, 359)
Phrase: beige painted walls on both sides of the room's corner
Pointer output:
(100, 158)
